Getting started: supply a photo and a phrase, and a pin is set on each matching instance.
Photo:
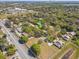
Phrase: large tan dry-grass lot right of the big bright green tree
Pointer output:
(47, 51)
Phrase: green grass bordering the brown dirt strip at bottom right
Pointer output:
(65, 49)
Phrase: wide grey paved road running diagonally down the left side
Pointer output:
(23, 52)
